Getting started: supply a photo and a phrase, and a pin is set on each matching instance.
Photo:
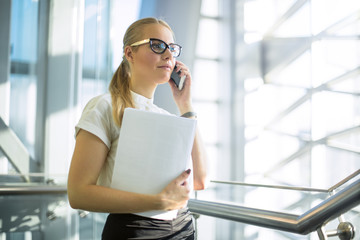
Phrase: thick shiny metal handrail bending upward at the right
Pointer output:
(334, 206)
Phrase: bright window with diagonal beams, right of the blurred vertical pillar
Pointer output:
(300, 103)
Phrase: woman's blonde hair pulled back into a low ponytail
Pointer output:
(120, 83)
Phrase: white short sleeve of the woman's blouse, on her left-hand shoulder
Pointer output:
(97, 119)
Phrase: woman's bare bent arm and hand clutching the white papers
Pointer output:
(89, 156)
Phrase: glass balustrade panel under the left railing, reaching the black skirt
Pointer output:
(46, 216)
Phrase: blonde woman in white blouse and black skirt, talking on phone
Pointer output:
(149, 59)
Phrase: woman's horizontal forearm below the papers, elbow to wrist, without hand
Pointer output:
(96, 198)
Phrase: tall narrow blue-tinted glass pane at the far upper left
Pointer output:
(23, 79)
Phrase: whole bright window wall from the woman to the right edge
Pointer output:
(292, 104)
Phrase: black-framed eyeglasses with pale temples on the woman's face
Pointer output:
(159, 46)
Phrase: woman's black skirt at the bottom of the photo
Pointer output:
(131, 226)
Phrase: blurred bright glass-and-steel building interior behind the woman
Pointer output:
(276, 88)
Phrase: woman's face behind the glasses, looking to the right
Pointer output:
(149, 68)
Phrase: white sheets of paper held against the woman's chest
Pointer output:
(153, 150)
